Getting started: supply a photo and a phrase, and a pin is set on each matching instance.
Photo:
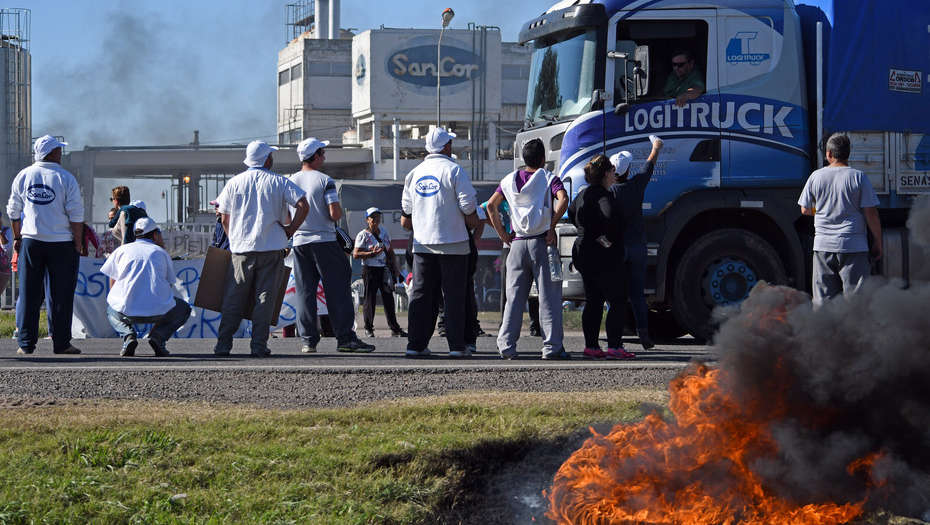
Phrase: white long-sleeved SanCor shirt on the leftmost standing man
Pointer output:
(48, 199)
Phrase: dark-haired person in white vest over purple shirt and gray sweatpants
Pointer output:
(525, 190)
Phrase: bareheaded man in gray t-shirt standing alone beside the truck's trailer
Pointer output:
(843, 203)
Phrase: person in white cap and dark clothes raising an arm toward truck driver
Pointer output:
(627, 203)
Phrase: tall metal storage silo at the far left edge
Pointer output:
(15, 97)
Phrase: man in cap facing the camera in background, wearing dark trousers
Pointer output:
(373, 247)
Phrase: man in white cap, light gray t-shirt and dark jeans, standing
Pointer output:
(319, 256)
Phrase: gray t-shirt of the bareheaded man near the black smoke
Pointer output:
(838, 195)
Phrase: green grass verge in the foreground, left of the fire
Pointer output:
(412, 461)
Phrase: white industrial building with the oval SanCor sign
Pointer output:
(377, 90)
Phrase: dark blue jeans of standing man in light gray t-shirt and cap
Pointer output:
(324, 261)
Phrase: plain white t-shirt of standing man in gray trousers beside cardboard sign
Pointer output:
(257, 203)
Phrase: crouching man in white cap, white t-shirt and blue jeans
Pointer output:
(141, 290)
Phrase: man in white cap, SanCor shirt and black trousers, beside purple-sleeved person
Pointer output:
(439, 206)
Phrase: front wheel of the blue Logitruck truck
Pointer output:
(720, 269)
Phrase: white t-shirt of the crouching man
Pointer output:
(144, 277)
